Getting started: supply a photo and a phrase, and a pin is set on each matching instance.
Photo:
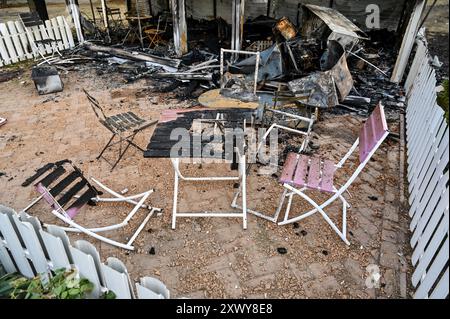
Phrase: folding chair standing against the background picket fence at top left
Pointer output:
(32, 20)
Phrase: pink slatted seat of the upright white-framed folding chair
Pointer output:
(306, 171)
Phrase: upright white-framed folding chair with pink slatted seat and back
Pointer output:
(301, 173)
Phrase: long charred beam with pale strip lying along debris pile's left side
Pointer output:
(135, 56)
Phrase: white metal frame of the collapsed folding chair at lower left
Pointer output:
(60, 213)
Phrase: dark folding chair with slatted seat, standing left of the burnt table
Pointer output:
(124, 125)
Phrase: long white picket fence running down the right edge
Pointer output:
(428, 176)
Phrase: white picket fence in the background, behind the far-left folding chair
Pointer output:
(15, 41)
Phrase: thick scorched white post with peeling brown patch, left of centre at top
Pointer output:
(179, 27)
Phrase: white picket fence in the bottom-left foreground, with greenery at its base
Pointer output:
(26, 248)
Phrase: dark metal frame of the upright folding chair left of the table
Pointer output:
(104, 120)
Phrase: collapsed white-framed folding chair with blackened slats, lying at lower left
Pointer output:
(63, 186)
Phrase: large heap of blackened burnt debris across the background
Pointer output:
(327, 62)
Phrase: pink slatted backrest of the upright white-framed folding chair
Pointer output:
(372, 132)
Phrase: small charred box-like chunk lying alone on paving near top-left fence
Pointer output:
(46, 79)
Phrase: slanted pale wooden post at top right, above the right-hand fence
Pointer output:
(408, 41)
